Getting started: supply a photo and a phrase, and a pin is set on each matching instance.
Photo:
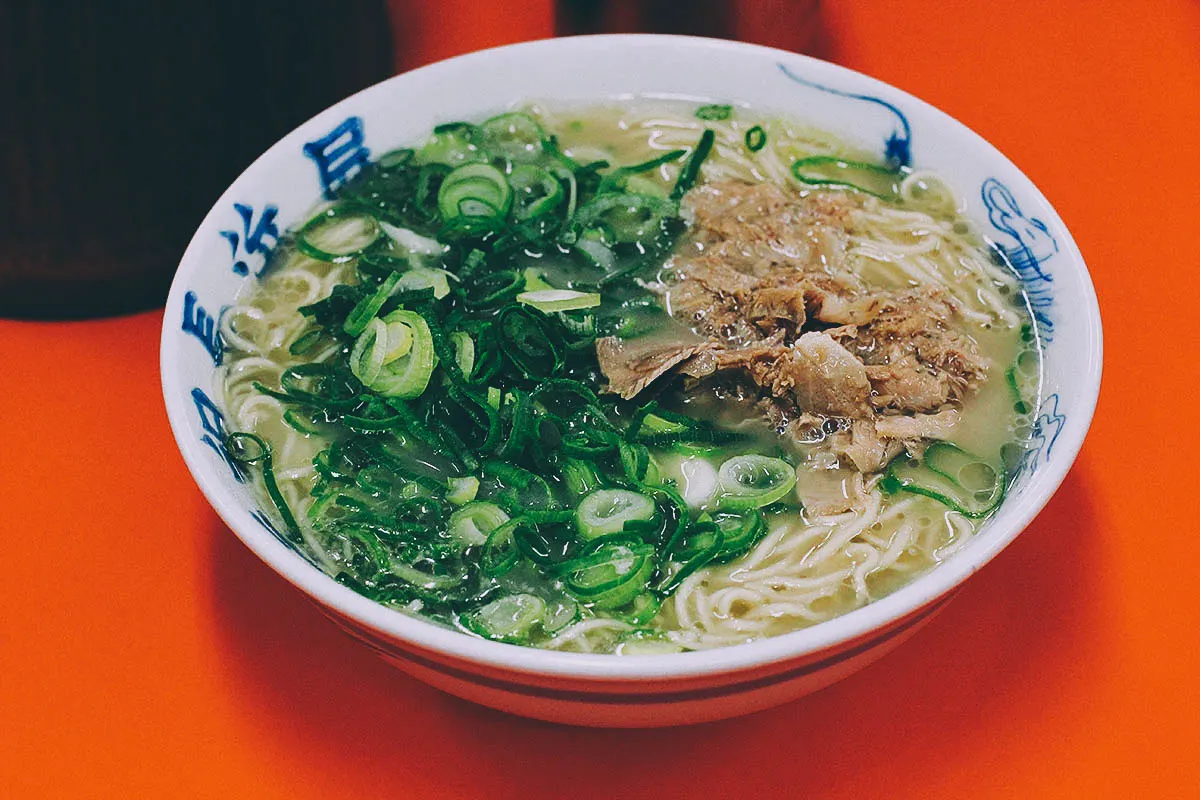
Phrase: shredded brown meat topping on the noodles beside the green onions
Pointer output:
(765, 280)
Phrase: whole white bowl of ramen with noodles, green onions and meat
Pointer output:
(631, 381)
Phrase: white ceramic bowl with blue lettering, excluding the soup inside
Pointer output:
(285, 183)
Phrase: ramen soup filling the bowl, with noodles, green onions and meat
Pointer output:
(632, 380)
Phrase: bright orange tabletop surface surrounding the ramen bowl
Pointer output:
(145, 653)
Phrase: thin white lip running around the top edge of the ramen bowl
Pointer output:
(873, 618)
